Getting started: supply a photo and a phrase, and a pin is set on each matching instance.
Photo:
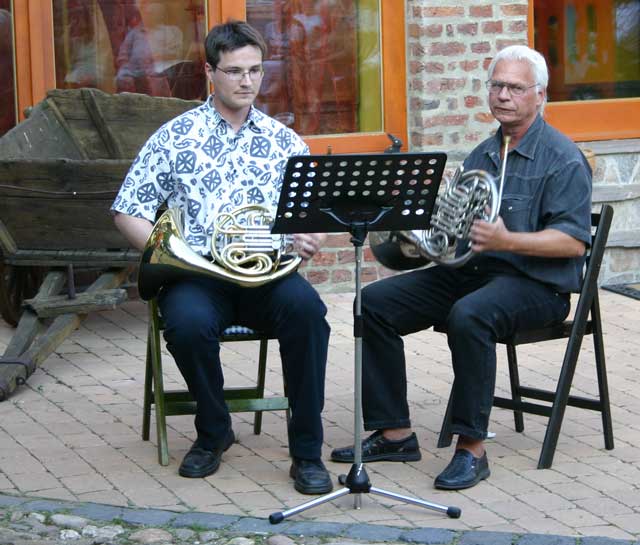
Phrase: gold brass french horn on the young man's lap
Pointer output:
(243, 251)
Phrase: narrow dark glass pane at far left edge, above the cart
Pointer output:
(7, 80)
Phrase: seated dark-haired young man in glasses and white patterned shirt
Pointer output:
(208, 161)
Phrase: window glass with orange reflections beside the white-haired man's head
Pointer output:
(592, 47)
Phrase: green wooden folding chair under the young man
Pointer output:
(179, 402)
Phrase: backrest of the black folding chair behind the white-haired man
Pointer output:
(601, 222)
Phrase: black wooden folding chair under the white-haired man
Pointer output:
(586, 321)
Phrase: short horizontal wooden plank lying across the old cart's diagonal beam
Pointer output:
(83, 303)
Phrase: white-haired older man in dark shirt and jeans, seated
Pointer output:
(524, 267)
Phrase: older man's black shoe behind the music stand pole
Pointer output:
(377, 448)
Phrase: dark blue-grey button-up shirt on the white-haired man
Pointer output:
(547, 186)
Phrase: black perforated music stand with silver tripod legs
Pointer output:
(358, 194)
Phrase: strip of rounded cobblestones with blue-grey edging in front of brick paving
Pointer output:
(46, 522)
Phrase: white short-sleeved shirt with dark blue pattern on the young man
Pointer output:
(197, 162)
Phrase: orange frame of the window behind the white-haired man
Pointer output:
(582, 120)
